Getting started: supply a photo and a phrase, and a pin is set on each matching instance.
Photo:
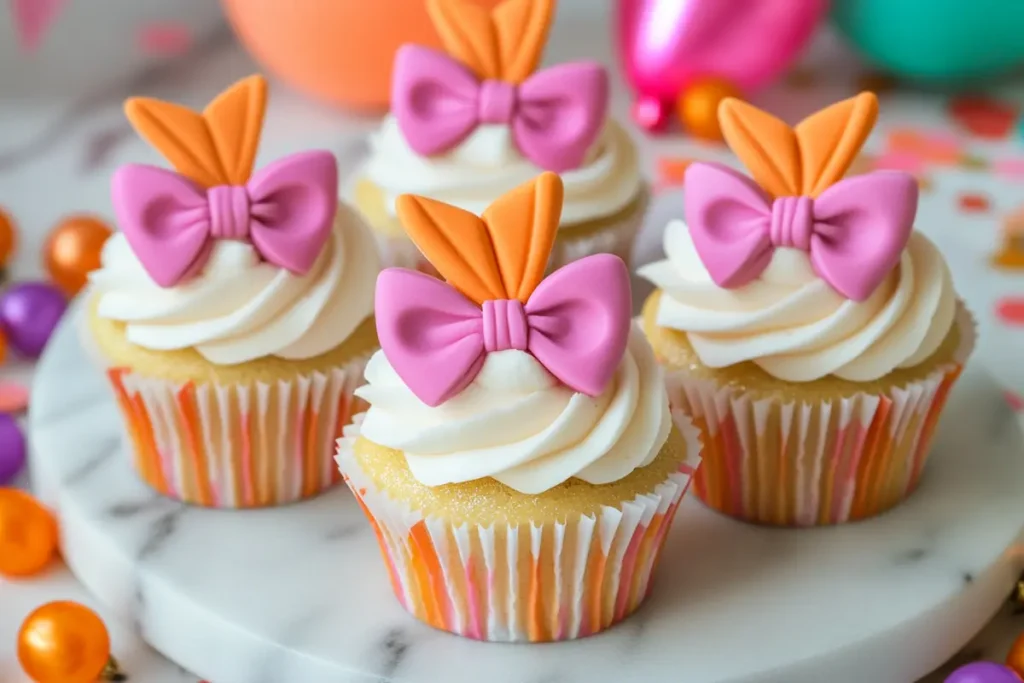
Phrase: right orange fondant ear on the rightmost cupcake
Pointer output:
(831, 140)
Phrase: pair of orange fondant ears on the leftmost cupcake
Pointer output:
(216, 148)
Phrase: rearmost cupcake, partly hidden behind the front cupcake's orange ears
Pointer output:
(475, 122)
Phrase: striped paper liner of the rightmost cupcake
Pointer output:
(794, 463)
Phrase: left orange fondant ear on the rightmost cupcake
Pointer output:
(767, 147)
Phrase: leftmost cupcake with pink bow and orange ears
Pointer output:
(234, 310)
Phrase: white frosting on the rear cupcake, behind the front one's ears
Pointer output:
(488, 165)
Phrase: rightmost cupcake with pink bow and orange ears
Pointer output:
(813, 334)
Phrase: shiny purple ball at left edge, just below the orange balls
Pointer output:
(29, 314)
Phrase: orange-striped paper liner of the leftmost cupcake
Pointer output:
(238, 446)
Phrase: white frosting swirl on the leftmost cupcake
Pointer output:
(241, 308)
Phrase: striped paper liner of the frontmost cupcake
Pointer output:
(529, 583)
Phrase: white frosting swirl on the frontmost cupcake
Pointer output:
(520, 425)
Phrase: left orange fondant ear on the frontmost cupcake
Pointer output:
(457, 243)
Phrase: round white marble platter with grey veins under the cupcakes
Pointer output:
(300, 595)
